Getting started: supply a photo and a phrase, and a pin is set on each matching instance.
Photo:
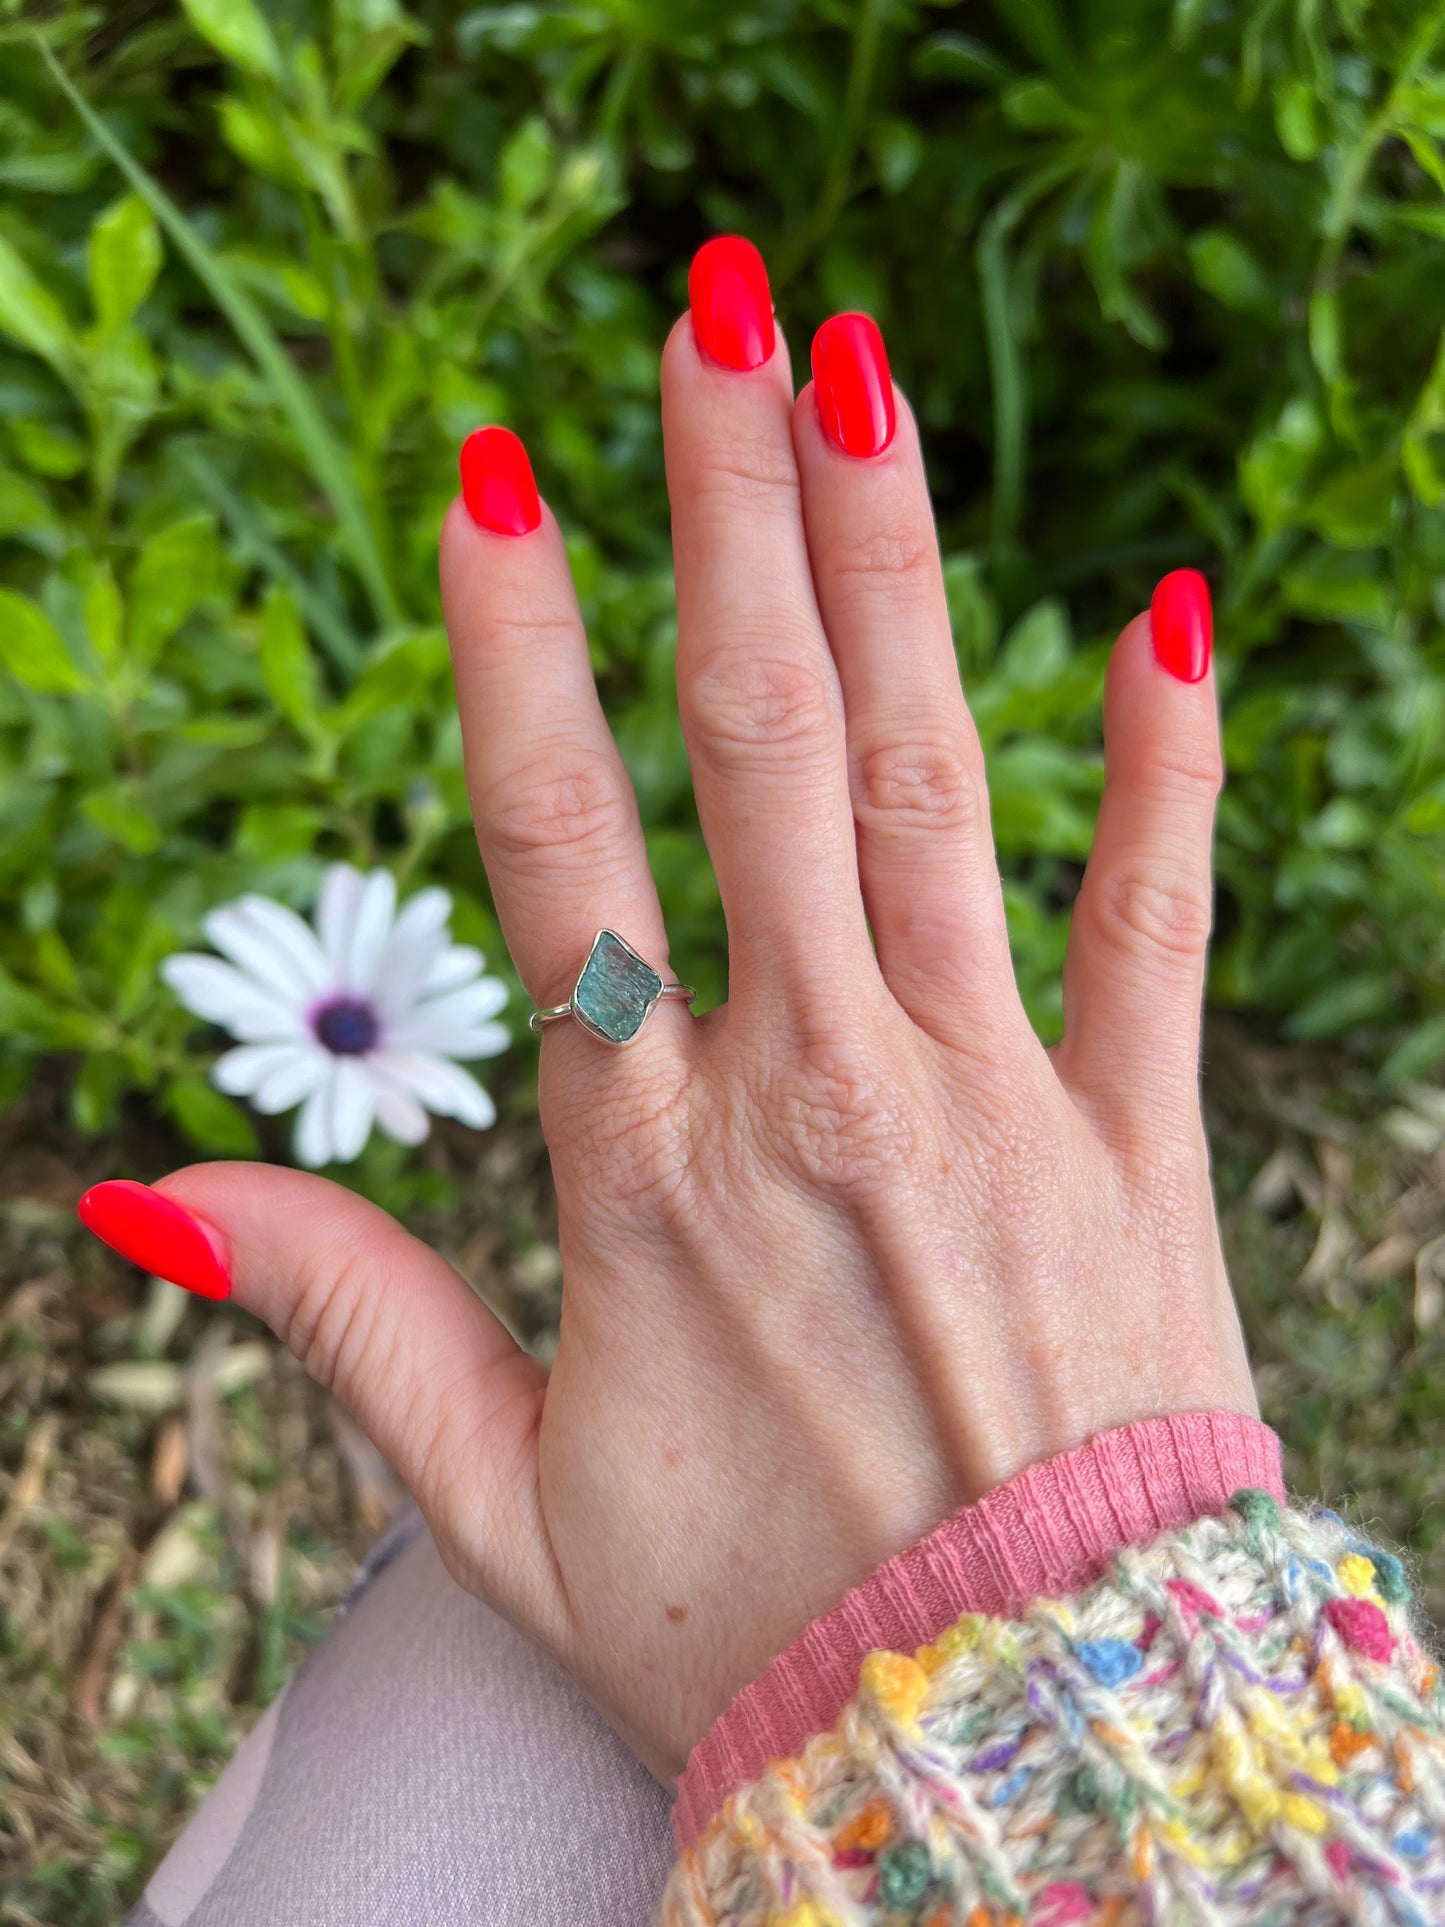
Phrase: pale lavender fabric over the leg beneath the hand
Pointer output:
(427, 1766)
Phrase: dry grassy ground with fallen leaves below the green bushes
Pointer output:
(180, 1508)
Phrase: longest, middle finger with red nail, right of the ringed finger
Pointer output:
(756, 683)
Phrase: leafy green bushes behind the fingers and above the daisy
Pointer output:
(1161, 298)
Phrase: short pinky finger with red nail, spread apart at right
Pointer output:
(1134, 982)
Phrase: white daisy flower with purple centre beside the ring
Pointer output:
(357, 1020)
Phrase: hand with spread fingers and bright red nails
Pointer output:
(853, 1250)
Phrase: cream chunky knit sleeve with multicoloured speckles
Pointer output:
(1236, 1726)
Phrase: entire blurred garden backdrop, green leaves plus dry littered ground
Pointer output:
(1167, 288)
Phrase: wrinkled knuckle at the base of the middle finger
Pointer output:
(835, 1117)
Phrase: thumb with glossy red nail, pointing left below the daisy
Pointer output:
(373, 1313)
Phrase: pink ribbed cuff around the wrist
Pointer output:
(1045, 1533)
